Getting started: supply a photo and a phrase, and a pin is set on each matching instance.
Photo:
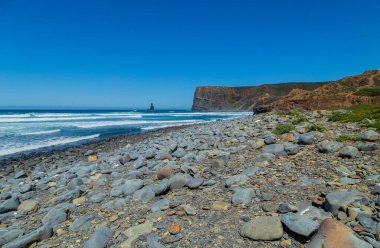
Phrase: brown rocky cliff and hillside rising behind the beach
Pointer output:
(349, 91)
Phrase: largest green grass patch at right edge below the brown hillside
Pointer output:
(358, 114)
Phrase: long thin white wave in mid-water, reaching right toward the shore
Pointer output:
(124, 123)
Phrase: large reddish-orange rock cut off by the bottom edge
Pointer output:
(333, 234)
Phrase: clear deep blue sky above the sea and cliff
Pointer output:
(126, 53)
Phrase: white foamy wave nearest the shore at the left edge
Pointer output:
(48, 143)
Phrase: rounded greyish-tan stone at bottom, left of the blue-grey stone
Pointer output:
(266, 228)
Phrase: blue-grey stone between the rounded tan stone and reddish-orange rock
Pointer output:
(299, 224)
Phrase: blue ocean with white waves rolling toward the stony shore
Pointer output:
(24, 131)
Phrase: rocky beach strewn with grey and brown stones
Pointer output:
(246, 182)
